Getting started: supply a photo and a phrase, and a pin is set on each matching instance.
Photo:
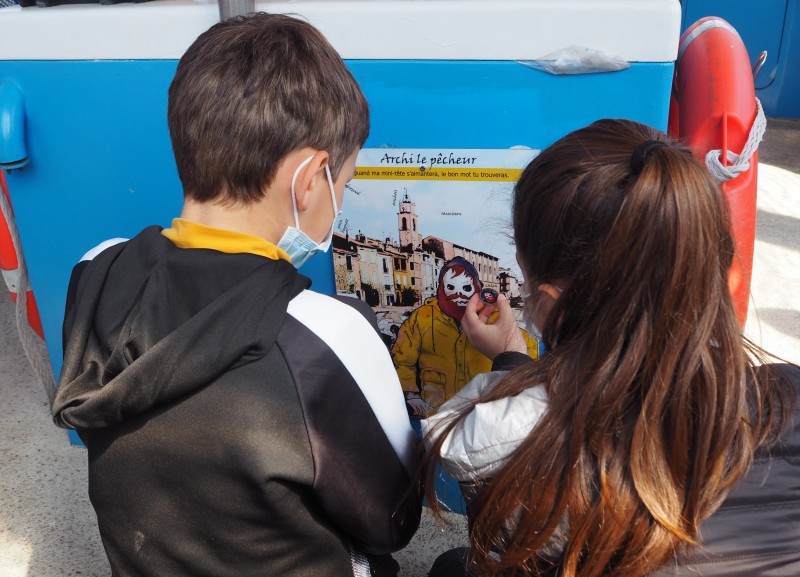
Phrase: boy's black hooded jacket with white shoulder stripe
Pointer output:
(225, 436)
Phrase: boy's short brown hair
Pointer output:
(248, 92)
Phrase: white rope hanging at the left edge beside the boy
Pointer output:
(34, 347)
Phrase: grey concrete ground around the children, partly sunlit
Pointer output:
(47, 527)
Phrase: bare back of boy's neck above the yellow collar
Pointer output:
(249, 219)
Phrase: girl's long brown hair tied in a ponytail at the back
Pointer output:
(655, 409)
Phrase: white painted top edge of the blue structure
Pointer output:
(637, 30)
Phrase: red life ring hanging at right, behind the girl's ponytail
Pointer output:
(714, 108)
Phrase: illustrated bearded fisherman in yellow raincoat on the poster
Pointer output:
(433, 357)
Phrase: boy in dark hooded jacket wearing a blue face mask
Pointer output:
(237, 423)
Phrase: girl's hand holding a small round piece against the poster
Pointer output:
(492, 329)
